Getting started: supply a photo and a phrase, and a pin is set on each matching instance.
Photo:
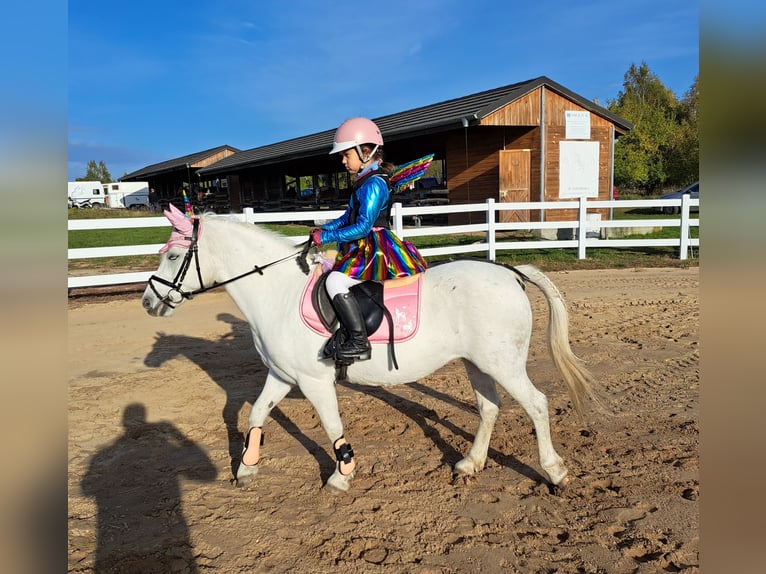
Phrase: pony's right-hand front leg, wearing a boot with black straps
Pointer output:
(321, 394)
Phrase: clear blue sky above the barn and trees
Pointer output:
(151, 81)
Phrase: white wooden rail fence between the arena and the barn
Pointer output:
(585, 230)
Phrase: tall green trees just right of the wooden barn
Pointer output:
(660, 149)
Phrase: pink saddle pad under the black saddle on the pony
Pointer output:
(400, 296)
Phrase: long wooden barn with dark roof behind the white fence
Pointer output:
(531, 141)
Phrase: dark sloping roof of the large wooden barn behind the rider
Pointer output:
(433, 118)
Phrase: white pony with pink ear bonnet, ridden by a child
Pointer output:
(473, 310)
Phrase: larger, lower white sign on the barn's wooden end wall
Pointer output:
(578, 169)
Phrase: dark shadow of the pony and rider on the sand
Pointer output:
(242, 385)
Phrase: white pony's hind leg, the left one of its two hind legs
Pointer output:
(488, 404)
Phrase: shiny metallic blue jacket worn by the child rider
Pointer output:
(368, 207)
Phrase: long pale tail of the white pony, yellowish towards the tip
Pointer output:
(580, 382)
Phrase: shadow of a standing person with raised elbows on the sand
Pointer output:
(141, 527)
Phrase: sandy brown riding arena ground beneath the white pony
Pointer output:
(157, 409)
